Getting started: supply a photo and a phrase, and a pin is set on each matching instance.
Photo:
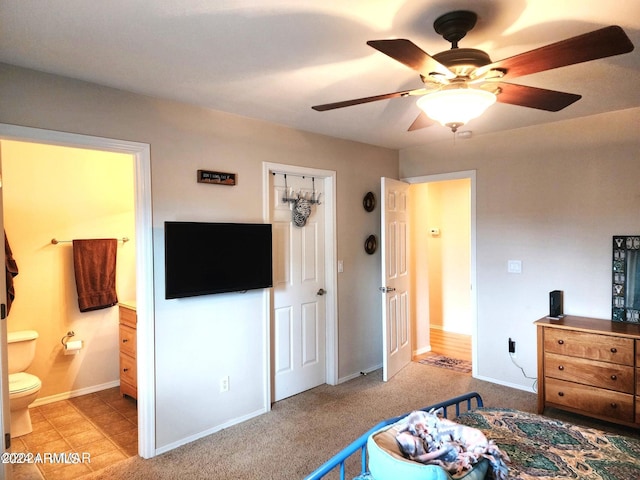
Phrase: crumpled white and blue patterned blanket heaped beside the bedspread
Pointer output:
(428, 438)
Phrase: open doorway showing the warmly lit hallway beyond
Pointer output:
(443, 222)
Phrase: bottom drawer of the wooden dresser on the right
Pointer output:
(590, 400)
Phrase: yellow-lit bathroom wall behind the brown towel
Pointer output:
(52, 191)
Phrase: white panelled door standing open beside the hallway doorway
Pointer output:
(396, 326)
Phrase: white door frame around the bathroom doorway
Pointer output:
(139, 163)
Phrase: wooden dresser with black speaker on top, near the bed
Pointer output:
(590, 366)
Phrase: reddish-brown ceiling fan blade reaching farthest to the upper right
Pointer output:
(601, 43)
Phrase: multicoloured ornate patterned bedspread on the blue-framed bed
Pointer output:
(541, 448)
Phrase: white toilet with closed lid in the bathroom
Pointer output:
(23, 387)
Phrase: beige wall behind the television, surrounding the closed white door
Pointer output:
(201, 339)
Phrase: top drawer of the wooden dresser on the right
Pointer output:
(605, 348)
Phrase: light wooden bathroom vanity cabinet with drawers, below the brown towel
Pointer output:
(128, 362)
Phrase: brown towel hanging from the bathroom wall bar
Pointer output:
(94, 263)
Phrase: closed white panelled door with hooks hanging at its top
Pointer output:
(299, 310)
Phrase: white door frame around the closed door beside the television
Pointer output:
(330, 267)
